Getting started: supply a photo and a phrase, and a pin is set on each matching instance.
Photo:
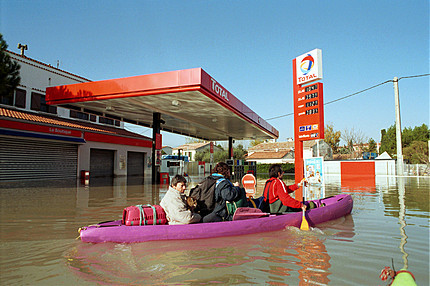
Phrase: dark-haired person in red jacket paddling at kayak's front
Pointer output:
(276, 193)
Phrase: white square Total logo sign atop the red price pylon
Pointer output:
(309, 66)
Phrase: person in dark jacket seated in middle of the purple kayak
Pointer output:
(224, 191)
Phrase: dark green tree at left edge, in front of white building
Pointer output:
(9, 74)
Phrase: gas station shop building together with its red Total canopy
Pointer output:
(58, 124)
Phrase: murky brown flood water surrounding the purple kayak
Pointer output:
(39, 222)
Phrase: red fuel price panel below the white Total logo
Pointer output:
(309, 112)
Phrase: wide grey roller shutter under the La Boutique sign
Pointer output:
(26, 159)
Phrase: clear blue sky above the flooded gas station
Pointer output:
(248, 47)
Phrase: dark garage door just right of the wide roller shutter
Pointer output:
(101, 163)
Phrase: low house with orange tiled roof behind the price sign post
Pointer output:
(283, 152)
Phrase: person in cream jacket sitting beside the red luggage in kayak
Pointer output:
(174, 203)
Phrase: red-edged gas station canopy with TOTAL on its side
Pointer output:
(190, 102)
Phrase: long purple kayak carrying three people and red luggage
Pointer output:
(327, 209)
